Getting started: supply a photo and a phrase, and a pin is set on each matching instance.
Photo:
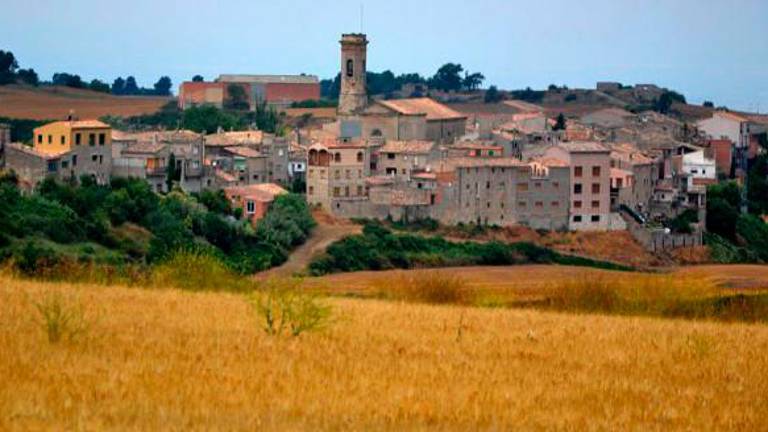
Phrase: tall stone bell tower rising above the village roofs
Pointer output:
(353, 96)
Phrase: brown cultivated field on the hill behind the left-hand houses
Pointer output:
(55, 103)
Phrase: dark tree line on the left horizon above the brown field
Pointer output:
(10, 73)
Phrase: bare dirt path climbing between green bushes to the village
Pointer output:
(327, 231)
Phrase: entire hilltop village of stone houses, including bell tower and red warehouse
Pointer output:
(414, 157)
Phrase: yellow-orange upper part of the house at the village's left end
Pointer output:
(62, 136)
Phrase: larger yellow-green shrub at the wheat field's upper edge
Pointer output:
(282, 307)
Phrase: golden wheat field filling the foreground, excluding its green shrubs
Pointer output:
(163, 359)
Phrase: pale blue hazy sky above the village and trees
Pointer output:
(708, 49)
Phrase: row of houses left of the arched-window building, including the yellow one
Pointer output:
(247, 165)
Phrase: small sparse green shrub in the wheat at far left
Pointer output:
(61, 318)
